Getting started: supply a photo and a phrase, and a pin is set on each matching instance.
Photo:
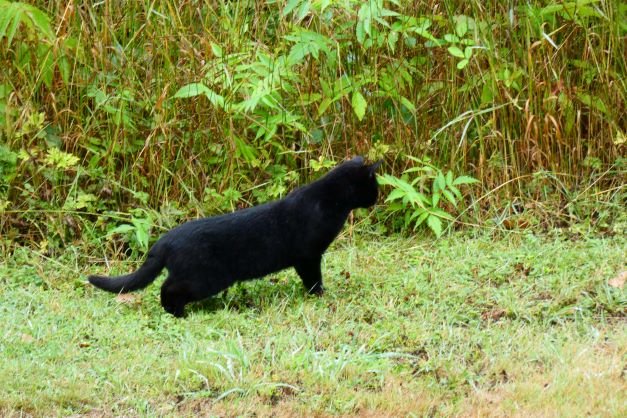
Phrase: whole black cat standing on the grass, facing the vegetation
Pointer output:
(205, 256)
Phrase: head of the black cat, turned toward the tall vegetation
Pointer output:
(359, 182)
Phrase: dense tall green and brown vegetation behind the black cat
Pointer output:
(114, 117)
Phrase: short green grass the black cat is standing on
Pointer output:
(466, 325)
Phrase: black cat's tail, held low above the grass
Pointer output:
(146, 274)
